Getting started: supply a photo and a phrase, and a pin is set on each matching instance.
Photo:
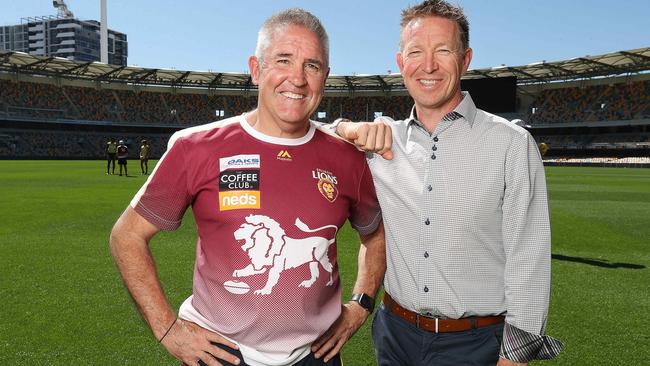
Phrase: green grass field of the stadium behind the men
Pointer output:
(63, 301)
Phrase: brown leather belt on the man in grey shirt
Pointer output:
(437, 325)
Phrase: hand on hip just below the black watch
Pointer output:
(330, 343)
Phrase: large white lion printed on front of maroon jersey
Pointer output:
(270, 249)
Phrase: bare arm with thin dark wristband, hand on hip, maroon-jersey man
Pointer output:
(185, 340)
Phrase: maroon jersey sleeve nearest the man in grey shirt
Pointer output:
(365, 214)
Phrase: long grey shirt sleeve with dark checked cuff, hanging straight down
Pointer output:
(527, 244)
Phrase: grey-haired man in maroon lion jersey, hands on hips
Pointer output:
(269, 191)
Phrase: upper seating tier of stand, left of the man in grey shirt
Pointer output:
(27, 99)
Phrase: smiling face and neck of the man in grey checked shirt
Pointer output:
(432, 62)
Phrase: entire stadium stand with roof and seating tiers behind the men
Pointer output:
(595, 107)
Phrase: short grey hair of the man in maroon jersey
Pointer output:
(280, 21)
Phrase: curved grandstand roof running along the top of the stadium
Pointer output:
(610, 64)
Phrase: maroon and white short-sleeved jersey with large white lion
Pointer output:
(267, 212)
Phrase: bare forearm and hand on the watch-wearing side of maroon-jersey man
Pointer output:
(370, 274)
